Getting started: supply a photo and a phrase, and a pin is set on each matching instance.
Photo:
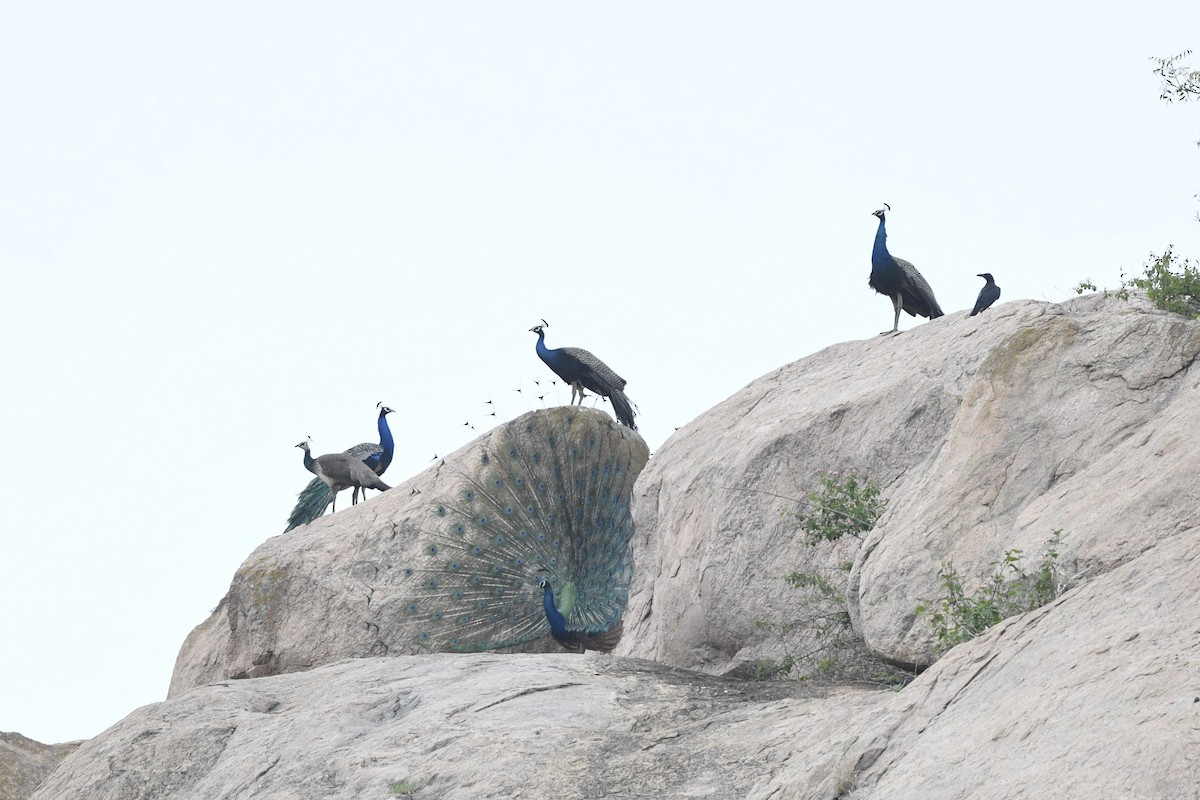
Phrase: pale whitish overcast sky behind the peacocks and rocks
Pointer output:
(231, 226)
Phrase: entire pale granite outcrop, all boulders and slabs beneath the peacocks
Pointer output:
(988, 434)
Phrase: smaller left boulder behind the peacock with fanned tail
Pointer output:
(338, 588)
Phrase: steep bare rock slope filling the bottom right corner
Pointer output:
(1094, 696)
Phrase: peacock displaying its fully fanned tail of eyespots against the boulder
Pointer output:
(535, 540)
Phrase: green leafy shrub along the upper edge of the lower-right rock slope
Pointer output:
(957, 617)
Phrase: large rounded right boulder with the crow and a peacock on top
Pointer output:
(988, 434)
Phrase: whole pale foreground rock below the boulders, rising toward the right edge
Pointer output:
(1094, 696)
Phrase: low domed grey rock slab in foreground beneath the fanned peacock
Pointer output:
(458, 726)
